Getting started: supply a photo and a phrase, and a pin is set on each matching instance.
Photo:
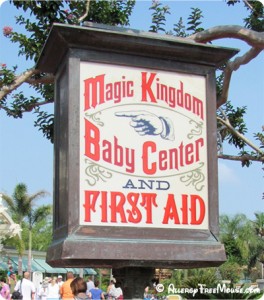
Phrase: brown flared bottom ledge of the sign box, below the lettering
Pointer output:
(117, 253)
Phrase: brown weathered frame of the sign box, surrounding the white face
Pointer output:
(107, 246)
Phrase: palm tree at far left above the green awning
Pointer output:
(21, 208)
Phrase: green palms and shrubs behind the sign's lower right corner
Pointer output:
(244, 246)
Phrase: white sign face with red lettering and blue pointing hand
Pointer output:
(143, 148)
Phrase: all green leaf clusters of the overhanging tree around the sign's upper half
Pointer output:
(116, 12)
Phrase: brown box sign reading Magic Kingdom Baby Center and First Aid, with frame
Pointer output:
(135, 178)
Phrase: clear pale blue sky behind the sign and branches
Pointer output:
(26, 156)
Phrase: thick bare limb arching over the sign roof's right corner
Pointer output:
(251, 37)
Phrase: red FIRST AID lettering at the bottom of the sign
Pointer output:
(140, 208)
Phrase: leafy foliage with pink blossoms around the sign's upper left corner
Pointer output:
(43, 15)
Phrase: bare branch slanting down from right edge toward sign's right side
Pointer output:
(233, 66)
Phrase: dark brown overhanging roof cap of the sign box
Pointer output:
(126, 41)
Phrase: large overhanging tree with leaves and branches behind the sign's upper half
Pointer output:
(231, 124)
